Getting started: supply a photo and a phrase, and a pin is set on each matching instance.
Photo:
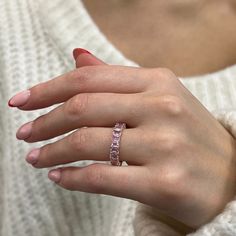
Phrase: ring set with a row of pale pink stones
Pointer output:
(114, 149)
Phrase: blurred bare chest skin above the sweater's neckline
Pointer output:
(189, 37)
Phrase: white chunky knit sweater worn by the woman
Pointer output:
(36, 43)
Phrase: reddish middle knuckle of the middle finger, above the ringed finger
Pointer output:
(77, 105)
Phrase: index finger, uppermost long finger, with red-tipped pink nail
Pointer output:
(100, 78)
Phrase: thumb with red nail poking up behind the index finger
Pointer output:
(85, 58)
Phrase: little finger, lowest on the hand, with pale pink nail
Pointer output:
(121, 181)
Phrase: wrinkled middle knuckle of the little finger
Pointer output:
(95, 178)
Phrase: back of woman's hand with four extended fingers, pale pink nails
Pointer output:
(180, 159)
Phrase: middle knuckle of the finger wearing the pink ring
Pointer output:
(78, 140)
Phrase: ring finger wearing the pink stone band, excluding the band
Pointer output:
(88, 144)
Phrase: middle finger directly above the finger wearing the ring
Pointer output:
(86, 109)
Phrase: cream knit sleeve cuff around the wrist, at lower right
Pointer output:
(145, 222)
